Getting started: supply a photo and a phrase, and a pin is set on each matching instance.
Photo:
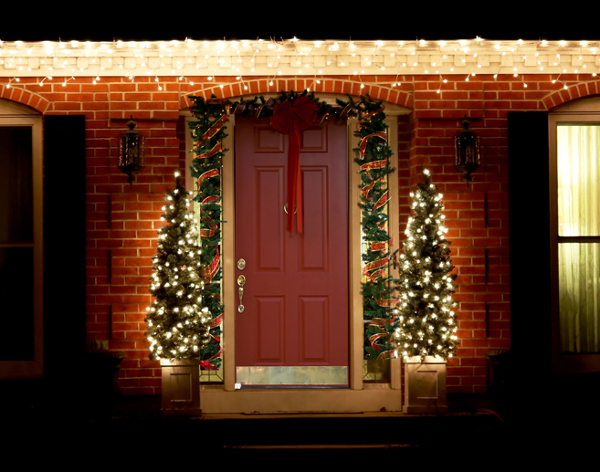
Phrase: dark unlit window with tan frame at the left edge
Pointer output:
(20, 241)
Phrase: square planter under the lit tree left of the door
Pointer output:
(181, 387)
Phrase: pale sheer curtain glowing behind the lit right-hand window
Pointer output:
(579, 216)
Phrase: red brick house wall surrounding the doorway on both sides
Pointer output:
(122, 222)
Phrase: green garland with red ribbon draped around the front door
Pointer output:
(208, 131)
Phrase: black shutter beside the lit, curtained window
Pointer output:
(529, 209)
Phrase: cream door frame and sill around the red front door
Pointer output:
(360, 396)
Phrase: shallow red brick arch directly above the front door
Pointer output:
(327, 85)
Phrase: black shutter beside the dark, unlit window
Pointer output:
(64, 244)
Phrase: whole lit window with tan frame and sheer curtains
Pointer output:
(575, 241)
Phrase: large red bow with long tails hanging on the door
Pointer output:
(292, 118)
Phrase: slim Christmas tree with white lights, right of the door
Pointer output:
(426, 320)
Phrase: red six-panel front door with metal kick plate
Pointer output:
(293, 330)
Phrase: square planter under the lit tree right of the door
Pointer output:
(425, 386)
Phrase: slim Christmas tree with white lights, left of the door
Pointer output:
(177, 322)
